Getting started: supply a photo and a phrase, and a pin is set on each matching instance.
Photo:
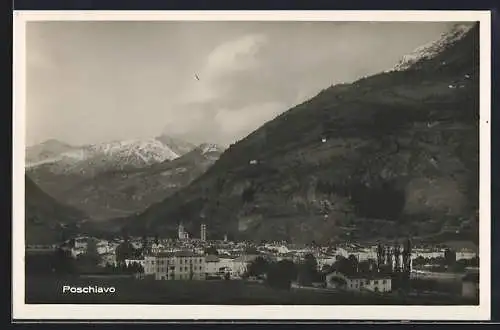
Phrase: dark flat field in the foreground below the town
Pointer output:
(48, 290)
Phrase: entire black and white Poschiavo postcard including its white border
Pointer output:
(247, 162)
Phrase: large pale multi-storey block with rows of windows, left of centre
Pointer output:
(181, 265)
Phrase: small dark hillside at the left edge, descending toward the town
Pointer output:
(45, 217)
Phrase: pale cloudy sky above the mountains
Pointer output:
(92, 82)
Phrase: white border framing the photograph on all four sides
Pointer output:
(447, 313)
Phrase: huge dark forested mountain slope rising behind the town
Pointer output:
(388, 155)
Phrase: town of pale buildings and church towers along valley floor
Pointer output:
(382, 269)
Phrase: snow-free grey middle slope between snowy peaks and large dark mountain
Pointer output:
(123, 192)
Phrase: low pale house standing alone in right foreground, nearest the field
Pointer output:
(373, 282)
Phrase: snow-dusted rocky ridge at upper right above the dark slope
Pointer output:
(435, 47)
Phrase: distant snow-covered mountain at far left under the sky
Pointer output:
(57, 167)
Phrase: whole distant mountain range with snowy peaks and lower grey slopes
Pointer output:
(118, 178)
